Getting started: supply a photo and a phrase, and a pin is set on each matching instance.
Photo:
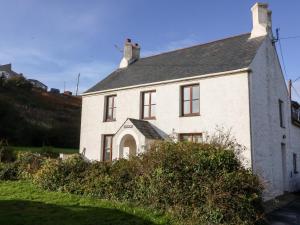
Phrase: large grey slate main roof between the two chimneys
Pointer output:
(223, 55)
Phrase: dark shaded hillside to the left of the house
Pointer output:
(29, 117)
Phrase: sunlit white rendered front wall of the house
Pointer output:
(224, 102)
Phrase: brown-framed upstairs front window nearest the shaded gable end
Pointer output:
(190, 104)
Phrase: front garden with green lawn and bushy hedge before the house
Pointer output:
(171, 183)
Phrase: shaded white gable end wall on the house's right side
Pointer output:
(267, 86)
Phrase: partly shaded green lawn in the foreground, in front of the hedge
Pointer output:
(22, 203)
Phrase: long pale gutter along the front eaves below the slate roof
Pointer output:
(230, 72)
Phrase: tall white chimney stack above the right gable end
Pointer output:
(261, 19)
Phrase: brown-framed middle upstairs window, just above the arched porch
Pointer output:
(149, 105)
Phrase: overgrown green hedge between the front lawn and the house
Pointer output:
(197, 183)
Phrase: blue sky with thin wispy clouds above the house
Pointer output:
(55, 40)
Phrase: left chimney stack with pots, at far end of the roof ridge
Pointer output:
(131, 53)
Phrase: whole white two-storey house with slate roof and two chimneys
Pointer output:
(235, 83)
